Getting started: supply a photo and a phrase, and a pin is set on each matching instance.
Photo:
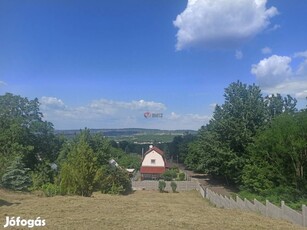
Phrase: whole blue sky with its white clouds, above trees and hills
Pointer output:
(102, 64)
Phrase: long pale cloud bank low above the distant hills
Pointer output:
(104, 113)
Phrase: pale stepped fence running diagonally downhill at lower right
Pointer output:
(270, 210)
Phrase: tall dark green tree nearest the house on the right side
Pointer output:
(221, 146)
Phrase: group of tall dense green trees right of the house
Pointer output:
(256, 143)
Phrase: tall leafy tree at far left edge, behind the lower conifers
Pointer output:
(24, 131)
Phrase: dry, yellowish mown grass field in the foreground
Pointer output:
(140, 210)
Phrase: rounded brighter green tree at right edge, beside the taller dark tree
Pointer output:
(279, 155)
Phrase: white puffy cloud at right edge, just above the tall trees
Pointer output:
(276, 75)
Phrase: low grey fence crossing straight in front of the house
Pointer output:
(154, 185)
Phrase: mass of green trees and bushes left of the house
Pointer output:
(32, 157)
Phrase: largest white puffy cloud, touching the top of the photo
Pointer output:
(221, 23)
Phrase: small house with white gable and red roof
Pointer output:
(153, 164)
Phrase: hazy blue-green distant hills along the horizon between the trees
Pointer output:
(136, 135)
